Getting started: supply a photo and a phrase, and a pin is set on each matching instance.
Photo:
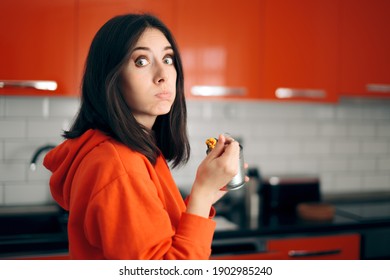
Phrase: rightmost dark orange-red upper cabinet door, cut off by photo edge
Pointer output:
(365, 45)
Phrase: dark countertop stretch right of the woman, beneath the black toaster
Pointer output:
(353, 212)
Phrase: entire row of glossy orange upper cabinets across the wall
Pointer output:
(260, 49)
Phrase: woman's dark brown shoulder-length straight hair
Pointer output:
(103, 105)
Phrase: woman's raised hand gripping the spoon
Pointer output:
(214, 172)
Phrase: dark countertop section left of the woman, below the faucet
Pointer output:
(32, 231)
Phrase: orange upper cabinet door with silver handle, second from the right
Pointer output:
(301, 50)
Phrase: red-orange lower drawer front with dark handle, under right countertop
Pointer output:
(332, 247)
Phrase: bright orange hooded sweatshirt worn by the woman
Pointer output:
(120, 205)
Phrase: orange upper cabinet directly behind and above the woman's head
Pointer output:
(92, 14)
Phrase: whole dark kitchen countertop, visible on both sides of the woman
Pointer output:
(42, 230)
